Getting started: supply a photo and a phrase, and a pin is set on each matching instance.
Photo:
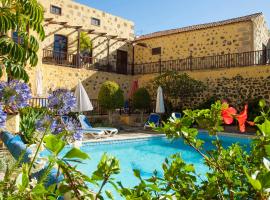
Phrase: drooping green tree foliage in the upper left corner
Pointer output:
(25, 17)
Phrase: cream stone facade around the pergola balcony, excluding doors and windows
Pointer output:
(75, 14)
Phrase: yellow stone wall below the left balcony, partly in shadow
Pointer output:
(66, 77)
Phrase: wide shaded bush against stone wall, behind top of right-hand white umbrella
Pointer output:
(177, 85)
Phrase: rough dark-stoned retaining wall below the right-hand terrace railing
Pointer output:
(238, 85)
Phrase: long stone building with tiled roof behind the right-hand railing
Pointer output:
(242, 34)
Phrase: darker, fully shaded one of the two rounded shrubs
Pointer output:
(141, 99)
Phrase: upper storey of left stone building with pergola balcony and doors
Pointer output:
(110, 35)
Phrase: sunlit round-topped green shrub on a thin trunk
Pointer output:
(110, 97)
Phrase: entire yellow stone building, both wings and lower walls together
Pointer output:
(116, 53)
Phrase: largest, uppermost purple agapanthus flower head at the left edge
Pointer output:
(14, 95)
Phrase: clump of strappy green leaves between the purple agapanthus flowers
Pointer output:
(28, 119)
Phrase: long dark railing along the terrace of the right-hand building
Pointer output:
(203, 63)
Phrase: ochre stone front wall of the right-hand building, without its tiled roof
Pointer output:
(231, 38)
